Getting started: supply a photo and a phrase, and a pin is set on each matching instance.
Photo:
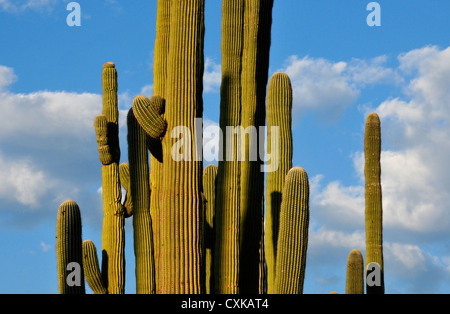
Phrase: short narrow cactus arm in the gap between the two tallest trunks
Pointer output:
(209, 192)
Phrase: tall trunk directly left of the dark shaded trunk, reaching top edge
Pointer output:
(227, 211)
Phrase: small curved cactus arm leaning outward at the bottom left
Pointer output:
(92, 269)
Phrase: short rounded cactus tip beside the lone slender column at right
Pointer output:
(355, 273)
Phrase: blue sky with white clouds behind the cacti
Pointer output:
(341, 69)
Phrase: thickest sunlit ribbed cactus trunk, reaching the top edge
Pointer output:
(180, 240)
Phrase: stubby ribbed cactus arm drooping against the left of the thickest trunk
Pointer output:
(148, 117)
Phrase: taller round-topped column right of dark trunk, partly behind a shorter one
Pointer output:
(279, 115)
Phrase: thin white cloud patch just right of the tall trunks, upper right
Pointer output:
(328, 88)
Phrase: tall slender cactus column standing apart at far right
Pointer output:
(373, 198)
